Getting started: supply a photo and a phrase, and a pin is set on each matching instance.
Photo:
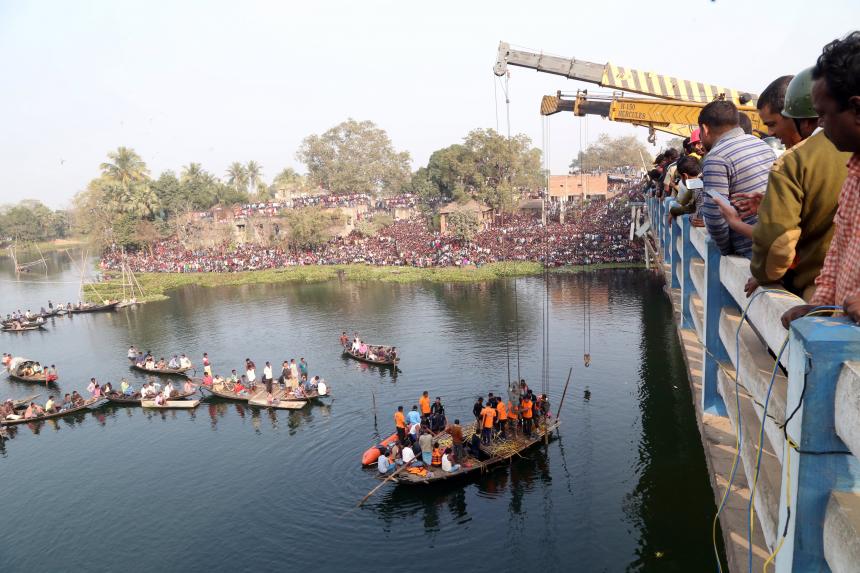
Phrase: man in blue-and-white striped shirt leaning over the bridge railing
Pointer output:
(735, 163)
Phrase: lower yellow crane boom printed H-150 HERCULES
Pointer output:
(669, 116)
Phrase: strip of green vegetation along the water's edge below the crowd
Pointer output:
(156, 285)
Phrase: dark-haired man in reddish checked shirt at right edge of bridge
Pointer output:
(836, 97)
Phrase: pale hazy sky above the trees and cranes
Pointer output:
(216, 81)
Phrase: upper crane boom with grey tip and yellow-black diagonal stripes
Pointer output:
(617, 77)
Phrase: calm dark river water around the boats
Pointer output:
(231, 488)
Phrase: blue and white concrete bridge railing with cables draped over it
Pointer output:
(804, 462)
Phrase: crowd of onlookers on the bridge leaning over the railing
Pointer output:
(792, 209)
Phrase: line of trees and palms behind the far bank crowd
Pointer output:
(126, 205)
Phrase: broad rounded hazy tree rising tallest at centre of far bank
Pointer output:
(354, 157)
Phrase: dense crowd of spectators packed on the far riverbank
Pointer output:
(596, 233)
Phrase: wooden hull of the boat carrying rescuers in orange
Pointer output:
(493, 455)
